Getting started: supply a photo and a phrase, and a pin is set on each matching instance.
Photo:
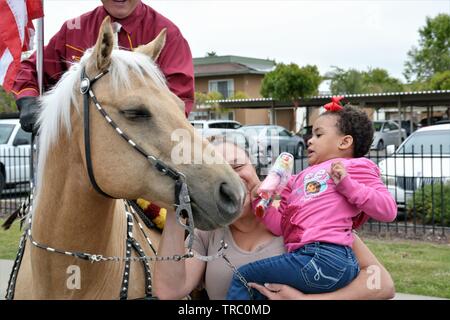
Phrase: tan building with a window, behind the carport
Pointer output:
(231, 75)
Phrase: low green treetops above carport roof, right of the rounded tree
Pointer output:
(352, 81)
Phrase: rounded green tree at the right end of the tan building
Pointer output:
(290, 82)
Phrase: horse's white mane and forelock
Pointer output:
(55, 113)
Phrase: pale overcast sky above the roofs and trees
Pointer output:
(348, 34)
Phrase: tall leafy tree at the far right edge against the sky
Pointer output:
(433, 52)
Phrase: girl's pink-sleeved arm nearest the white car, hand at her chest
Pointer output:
(361, 184)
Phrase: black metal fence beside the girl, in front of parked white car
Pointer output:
(418, 181)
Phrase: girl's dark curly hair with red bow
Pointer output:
(356, 123)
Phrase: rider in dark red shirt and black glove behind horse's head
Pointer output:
(139, 24)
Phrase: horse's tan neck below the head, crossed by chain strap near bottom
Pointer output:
(70, 215)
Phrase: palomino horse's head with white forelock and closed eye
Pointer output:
(134, 94)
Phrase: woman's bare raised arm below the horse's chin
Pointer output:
(175, 279)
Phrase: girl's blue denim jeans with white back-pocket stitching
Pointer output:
(314, 268)
